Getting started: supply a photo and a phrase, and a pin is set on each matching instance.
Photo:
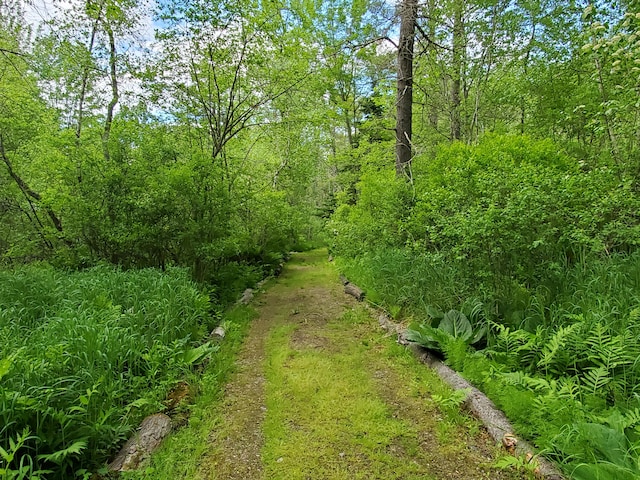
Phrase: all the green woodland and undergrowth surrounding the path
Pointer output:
(159, 157)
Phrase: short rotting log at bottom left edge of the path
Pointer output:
(152, 431)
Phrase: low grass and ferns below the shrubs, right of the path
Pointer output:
(562, 354)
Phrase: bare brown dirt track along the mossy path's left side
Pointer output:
(236, 449)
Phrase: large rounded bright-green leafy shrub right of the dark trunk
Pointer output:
(513, 207)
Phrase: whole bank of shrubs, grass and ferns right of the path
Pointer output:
(544, 252)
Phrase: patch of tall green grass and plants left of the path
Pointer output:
(85, 355)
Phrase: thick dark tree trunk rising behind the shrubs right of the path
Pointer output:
(408, 10)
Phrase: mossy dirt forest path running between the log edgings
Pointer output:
(321, 393)
